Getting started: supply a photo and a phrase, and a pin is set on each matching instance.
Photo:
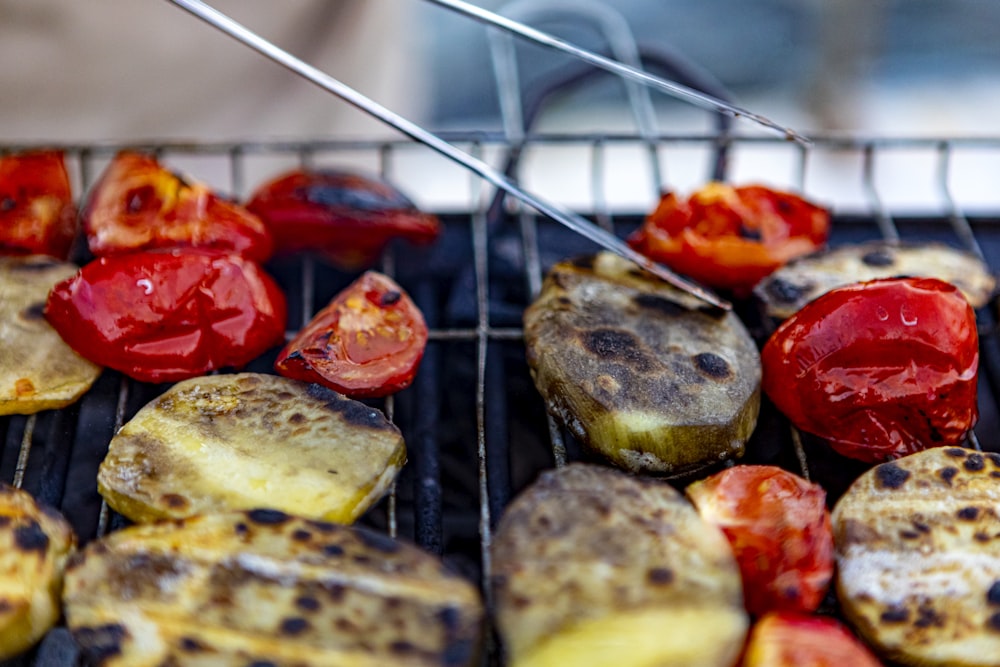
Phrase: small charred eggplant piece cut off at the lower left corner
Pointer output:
(35, 543)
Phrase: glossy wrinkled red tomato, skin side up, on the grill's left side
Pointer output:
(168, 315)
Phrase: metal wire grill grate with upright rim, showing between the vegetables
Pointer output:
(477, 431)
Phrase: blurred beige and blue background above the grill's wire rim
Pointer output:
(129, 69)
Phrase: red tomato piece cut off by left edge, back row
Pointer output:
(37, 214)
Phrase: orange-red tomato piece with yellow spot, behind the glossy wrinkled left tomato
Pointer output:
(140, 205)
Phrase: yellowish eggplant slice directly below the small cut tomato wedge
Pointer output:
(250, 440)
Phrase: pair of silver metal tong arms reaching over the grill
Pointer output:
(558, 213)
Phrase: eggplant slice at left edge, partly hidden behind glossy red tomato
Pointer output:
(38, 371)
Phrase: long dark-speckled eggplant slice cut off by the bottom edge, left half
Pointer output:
(264, 588)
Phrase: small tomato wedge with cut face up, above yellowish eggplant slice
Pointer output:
(367, 342)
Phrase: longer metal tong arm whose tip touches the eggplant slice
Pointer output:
(571, 220)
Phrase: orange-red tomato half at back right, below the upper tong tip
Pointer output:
(731, 237)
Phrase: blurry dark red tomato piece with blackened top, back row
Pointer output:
(347, 217)
